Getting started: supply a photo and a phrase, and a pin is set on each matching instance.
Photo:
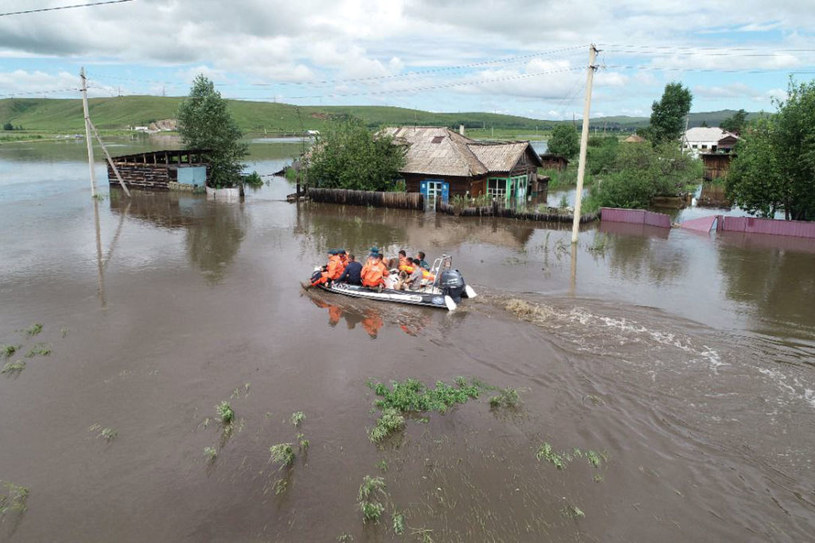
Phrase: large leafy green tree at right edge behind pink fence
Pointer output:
(774, 169)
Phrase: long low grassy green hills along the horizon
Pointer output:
(266, 117)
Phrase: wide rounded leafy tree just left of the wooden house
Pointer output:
(350, 156)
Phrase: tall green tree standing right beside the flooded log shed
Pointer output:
(205, 123)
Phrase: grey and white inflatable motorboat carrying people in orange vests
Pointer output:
(445, 290)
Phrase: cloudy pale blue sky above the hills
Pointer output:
(518, 57)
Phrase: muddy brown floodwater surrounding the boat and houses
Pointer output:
(684, 360)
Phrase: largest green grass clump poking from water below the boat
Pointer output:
(414, 397)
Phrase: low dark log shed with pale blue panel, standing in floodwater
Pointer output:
(162, 170)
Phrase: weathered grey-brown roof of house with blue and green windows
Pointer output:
(441, 151)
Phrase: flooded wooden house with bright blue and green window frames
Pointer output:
(441, 163)
